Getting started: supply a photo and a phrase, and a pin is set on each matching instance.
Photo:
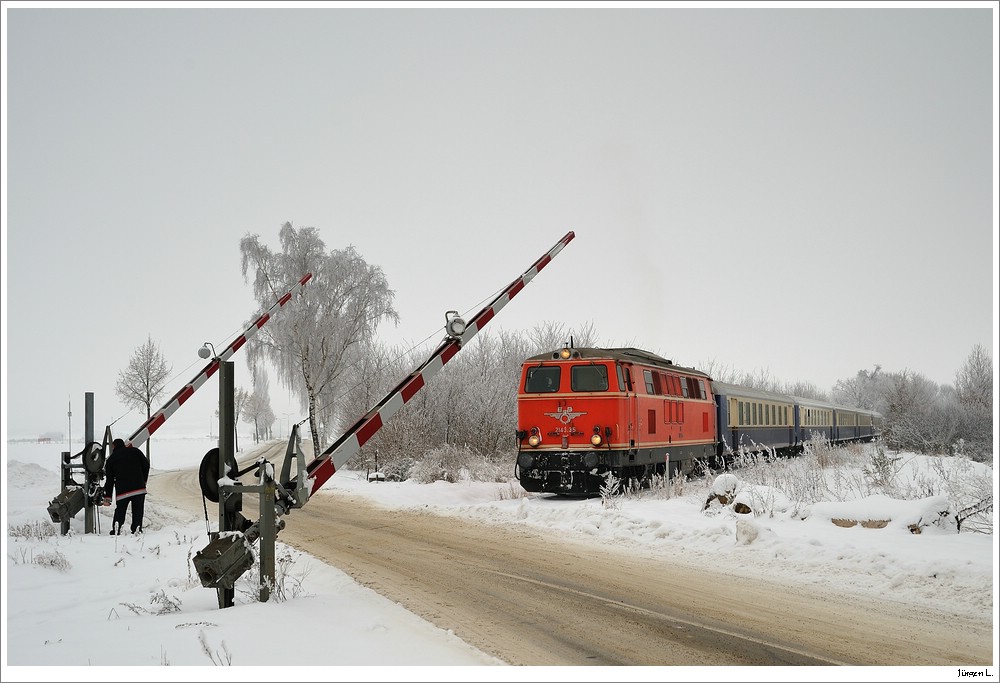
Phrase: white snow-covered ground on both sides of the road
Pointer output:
(95, 601)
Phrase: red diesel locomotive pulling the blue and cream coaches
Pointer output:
(584, 412)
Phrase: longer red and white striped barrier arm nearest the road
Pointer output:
(324, 466)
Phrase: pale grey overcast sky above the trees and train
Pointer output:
(806, 191)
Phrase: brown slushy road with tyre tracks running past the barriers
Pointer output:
(534, 600)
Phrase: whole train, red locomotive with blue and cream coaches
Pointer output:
(583, 413)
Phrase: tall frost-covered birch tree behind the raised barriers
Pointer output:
(314, 344)
